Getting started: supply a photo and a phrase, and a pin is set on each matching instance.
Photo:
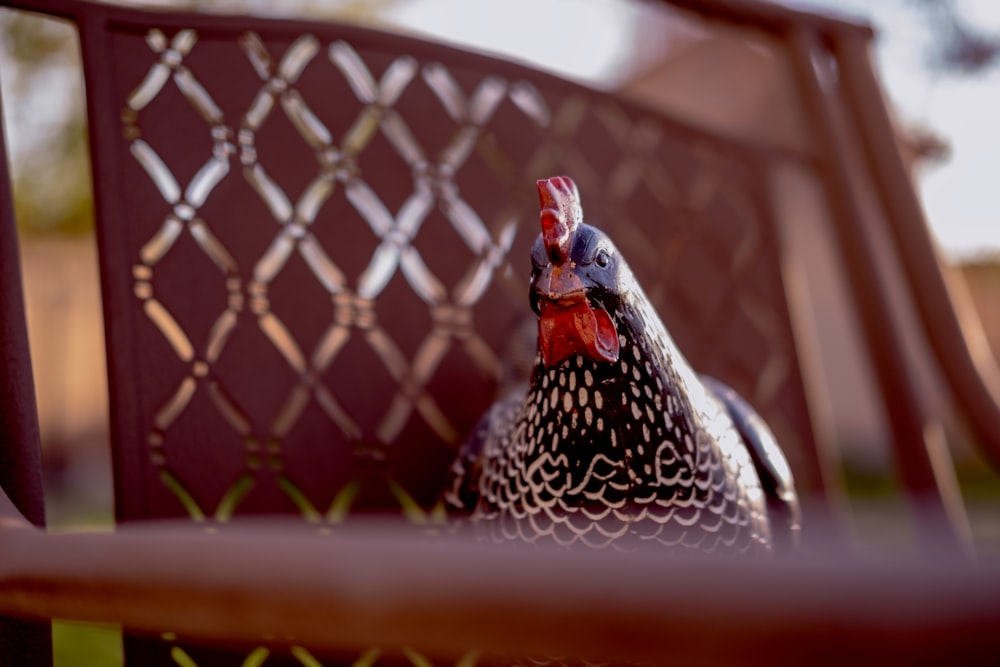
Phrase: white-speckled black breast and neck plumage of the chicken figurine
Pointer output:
(691, 485)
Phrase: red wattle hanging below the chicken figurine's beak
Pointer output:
(565, 331)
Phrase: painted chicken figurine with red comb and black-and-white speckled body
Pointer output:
(616, 441)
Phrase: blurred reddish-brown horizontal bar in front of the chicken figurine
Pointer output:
(381, 584)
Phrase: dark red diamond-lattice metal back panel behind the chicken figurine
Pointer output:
(329, 247)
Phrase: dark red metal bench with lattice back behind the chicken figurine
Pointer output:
(313, 247)
